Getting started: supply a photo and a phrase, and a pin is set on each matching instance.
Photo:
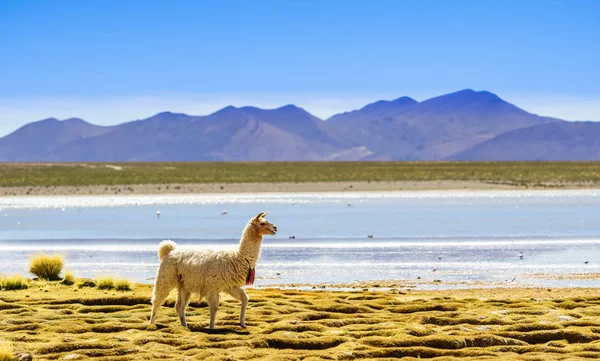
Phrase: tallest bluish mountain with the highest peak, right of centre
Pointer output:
(433, 129)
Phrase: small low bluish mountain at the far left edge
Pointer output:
(32, 141)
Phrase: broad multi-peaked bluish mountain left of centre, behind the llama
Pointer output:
(229, 134)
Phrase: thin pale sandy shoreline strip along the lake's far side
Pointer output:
(282, 187)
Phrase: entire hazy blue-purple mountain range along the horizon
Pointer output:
(466, 125)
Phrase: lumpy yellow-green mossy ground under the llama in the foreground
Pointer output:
(87, 323)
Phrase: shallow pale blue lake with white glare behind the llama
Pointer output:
(461, 238)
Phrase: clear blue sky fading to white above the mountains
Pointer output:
(115, 61)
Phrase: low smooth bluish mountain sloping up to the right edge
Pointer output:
(555, 141)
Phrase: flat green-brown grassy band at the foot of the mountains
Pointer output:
(553, 174)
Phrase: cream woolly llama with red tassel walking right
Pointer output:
(209, 273)
